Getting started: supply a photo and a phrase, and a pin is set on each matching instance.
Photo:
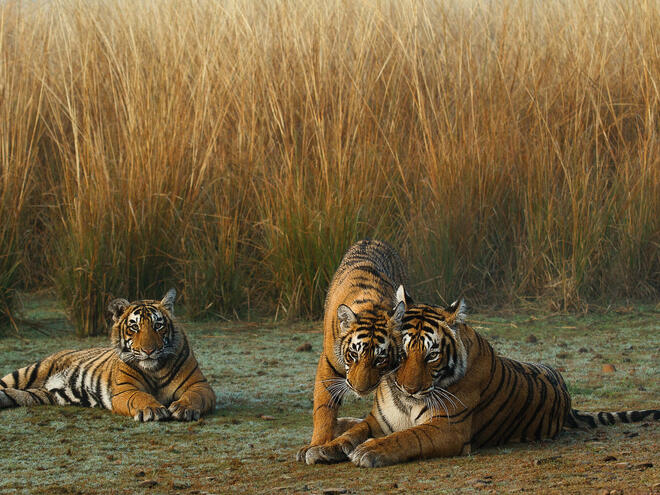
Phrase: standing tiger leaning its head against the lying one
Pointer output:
(360, 332)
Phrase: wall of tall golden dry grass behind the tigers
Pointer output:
(236, 149)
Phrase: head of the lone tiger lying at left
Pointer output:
(143, 332)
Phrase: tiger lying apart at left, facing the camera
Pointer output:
(149, 372)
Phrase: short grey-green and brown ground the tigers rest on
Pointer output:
(264, 389)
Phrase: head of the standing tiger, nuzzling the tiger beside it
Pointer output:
(369, 344)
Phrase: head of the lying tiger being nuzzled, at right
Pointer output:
(434, 355)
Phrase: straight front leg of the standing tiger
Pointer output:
(325, 408)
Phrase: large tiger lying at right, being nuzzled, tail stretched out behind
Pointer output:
(452, 394)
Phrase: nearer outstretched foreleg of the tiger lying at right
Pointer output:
(436, 438)
